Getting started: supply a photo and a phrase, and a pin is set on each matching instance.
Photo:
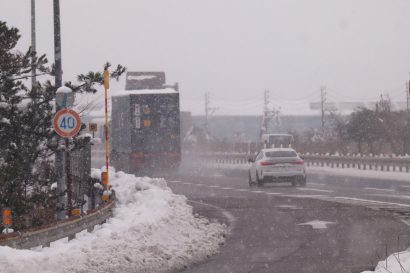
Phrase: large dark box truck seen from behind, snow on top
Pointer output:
(145, 126)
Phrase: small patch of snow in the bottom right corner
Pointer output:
(396, 263)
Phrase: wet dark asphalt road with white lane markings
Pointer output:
(267, 224)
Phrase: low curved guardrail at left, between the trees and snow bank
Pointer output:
(62, 229)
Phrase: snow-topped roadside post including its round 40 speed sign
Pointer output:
(67, 124)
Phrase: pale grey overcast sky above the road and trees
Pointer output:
(235, 49)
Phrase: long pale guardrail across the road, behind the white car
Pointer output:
(382, 163)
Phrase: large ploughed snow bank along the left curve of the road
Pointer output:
(153, 230)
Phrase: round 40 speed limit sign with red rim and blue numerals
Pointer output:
(67, 123)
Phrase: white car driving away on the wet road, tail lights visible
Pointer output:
(277, 165)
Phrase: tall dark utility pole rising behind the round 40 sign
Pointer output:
(59, 157)
